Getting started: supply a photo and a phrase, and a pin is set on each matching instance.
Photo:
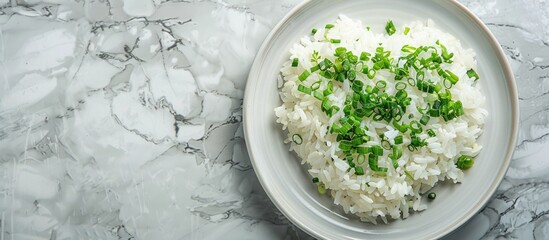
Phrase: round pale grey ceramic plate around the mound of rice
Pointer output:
(288, 184)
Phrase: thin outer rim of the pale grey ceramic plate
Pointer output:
(514, 107)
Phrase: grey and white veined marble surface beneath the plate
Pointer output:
(122, 119)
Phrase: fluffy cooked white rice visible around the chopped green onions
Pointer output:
(373, 197)
